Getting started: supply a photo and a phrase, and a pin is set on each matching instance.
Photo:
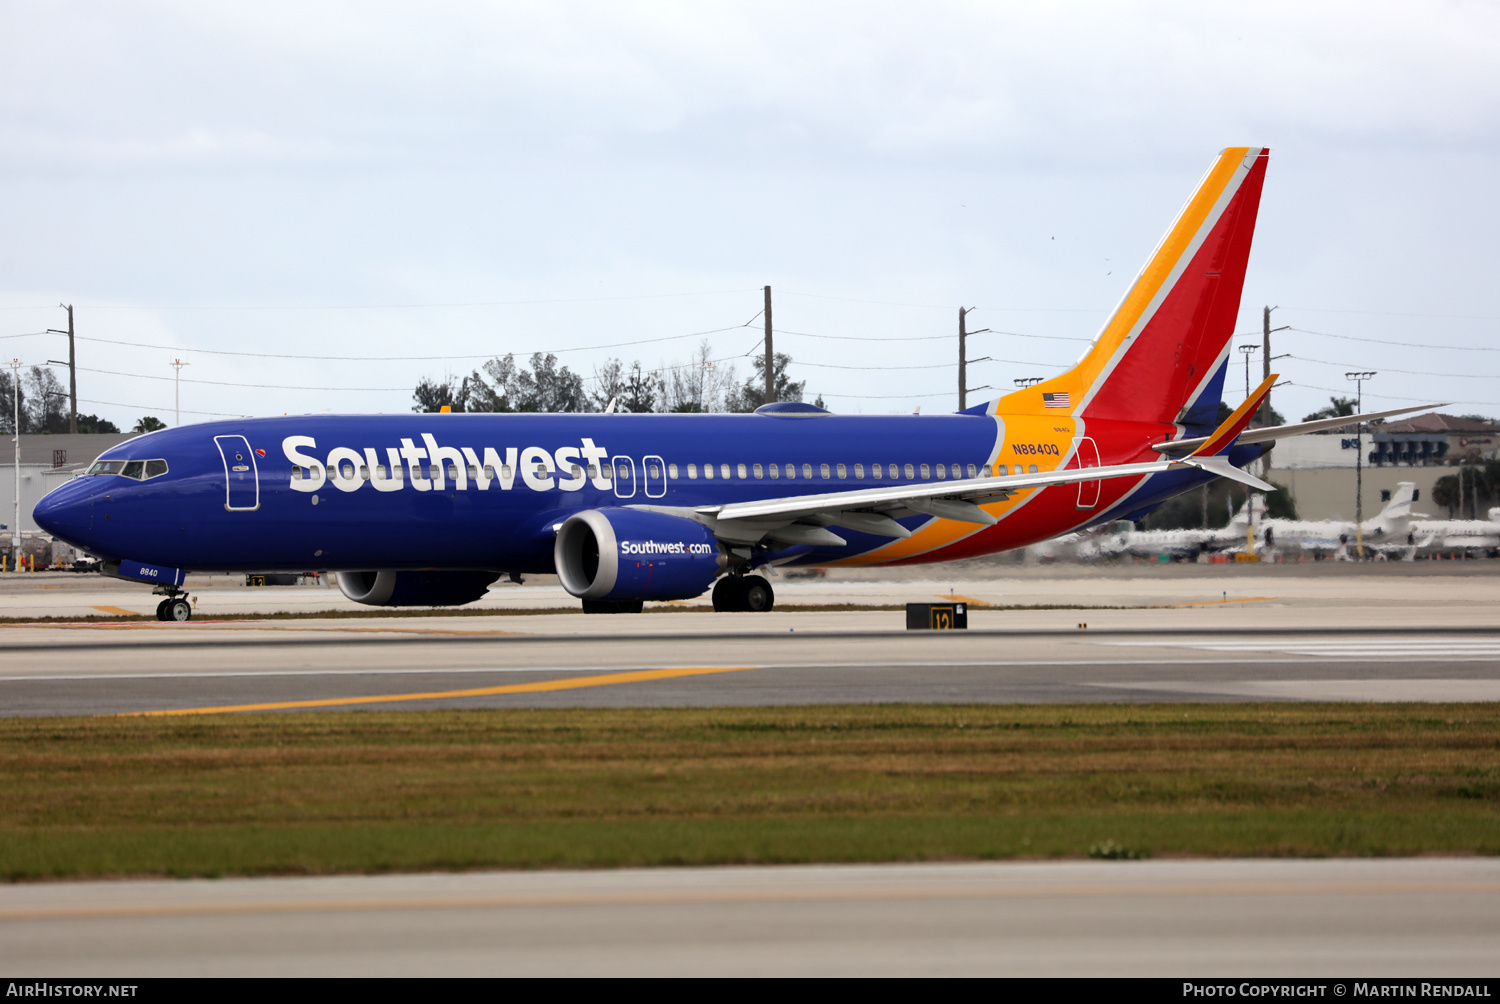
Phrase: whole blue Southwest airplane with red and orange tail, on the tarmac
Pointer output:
(430, 510)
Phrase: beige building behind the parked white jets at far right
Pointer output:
(1319, 470)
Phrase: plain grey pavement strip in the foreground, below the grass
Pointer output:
(1360, 919)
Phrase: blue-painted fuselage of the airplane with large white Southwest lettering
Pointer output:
(487, 491)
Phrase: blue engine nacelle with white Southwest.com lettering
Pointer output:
(628, 555)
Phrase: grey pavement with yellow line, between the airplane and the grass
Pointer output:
(1294, 636)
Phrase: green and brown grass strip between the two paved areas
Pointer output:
(601, 789)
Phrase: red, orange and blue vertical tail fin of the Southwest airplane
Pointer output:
(1163, 355)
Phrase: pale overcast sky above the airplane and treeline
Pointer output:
(460, 181)
